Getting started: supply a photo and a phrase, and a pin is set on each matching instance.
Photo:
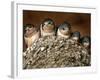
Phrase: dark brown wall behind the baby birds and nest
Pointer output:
(79, 21)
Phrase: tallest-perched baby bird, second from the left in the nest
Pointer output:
(47, 27)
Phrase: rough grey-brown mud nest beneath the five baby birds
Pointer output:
(54, 52)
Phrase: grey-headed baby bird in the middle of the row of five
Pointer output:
(64, 30)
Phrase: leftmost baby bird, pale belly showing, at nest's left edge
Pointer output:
(31, 34)
